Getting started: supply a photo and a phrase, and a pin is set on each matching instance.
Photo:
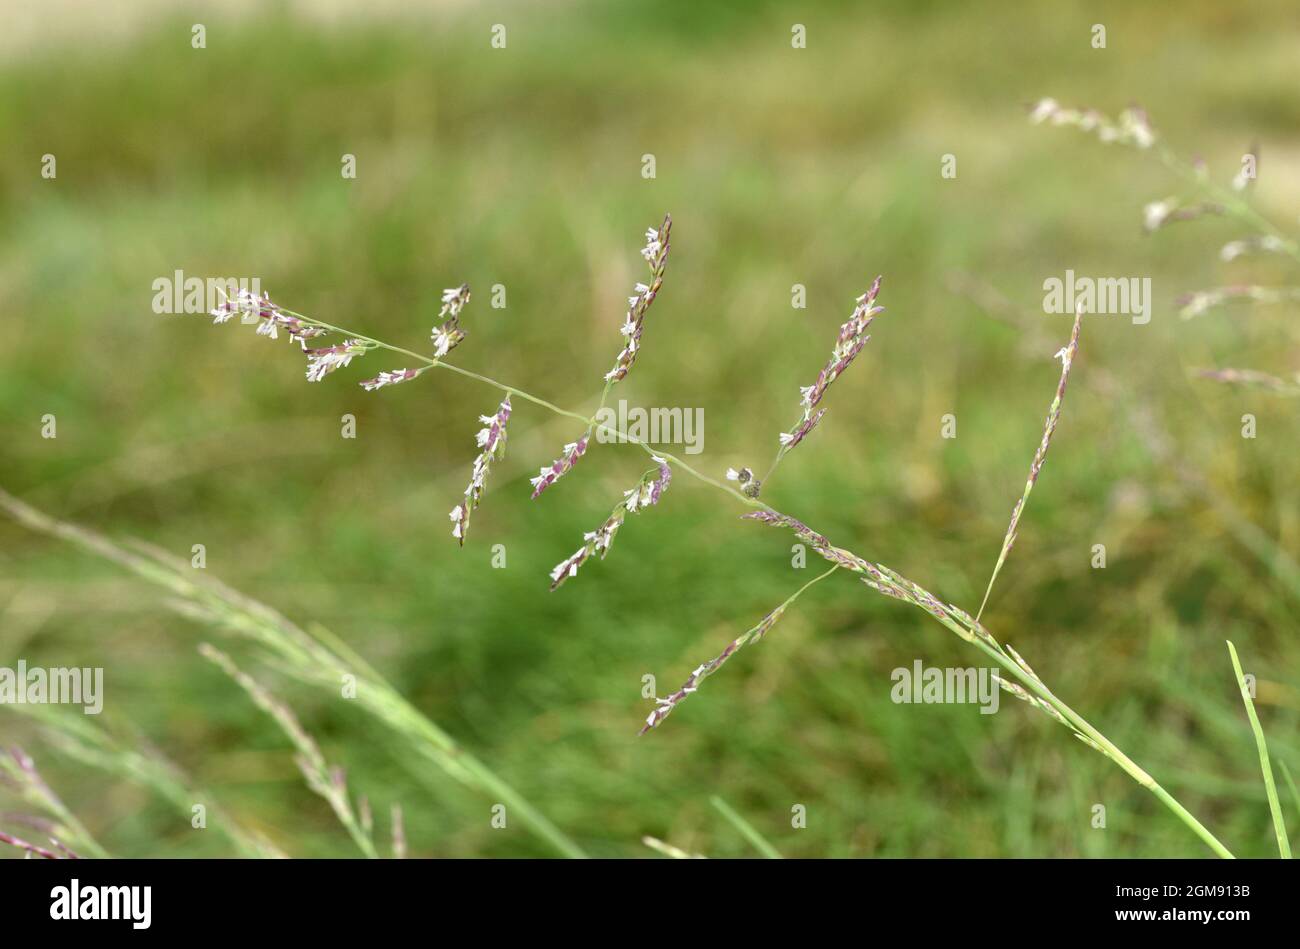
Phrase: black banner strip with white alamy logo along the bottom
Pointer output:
(333, 898)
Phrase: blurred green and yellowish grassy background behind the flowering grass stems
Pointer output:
(523, 167)
